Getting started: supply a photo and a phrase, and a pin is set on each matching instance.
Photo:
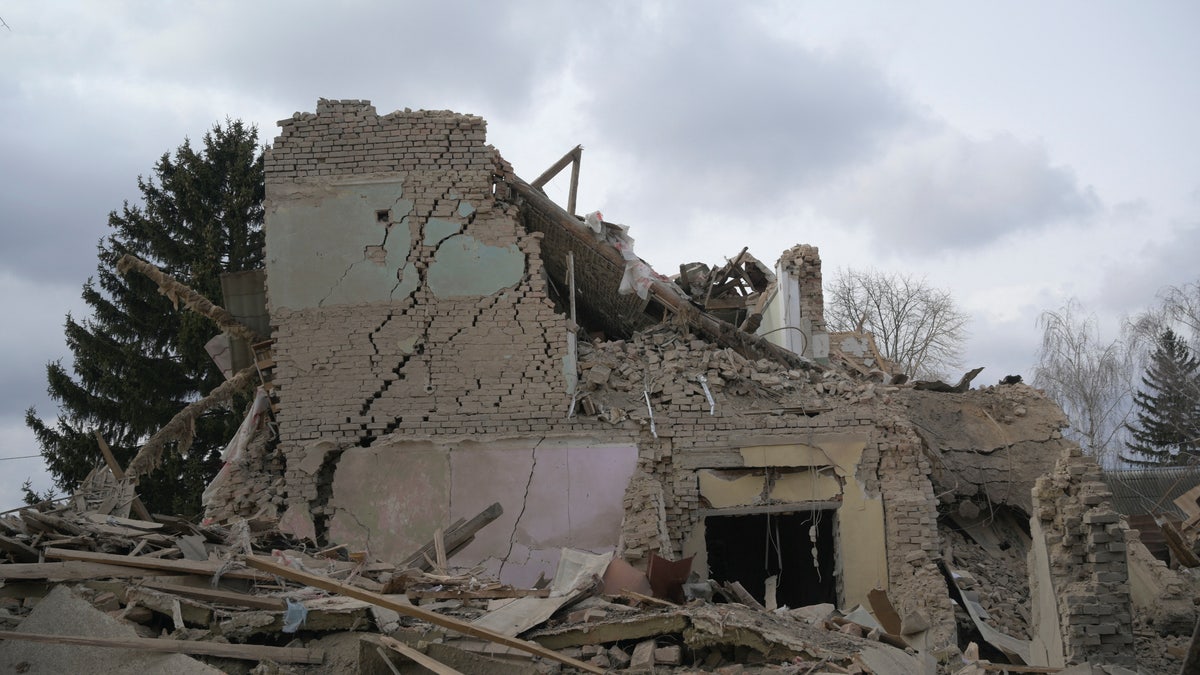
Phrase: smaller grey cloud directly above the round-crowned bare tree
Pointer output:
(945, 192)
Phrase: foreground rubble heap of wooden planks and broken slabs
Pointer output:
(245, 600)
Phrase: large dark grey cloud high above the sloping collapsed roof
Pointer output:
(716, 109)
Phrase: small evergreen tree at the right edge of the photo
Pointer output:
(1168, 407)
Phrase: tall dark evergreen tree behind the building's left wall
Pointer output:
(139, 361)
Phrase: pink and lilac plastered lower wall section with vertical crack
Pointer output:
(389, 499)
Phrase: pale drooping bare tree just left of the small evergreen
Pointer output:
(1093, 380)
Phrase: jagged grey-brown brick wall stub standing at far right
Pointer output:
(1085, 541)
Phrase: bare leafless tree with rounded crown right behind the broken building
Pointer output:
(917, 327)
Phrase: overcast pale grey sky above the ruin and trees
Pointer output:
(1017, 153)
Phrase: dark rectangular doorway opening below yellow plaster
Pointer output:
(752, 548)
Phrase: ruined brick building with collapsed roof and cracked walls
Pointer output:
(445, 338)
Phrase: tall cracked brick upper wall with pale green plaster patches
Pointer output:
(416, 327)
